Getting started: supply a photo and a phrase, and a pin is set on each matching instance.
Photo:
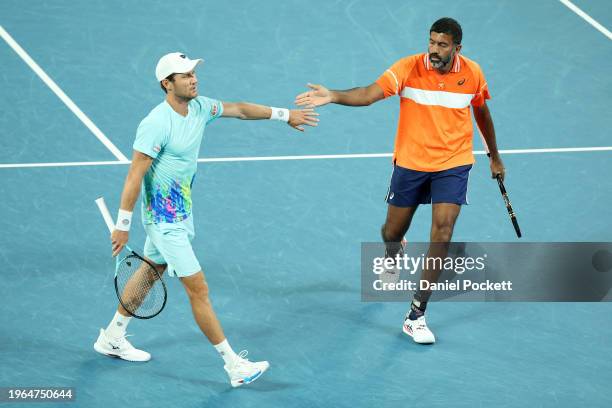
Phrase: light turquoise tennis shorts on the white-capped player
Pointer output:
(170, 243)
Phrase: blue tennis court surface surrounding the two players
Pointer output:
(279, 240)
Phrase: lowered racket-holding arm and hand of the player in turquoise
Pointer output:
(131, 189)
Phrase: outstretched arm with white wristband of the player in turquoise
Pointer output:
(250, 111)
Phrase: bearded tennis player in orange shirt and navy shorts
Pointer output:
(433, 146)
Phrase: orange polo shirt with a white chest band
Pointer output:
(435, 129)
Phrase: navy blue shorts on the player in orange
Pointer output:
(410, 188)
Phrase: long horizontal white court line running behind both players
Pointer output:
(306, 157)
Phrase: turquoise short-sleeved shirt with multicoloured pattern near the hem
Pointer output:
(173, 141)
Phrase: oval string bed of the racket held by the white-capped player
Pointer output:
(140, 289)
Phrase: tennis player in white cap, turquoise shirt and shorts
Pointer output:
(163, 166)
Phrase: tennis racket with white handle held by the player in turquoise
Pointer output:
(139, 286)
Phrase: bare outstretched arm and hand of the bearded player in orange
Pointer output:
(319, 95)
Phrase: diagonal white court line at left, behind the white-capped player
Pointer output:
(60, 94)
